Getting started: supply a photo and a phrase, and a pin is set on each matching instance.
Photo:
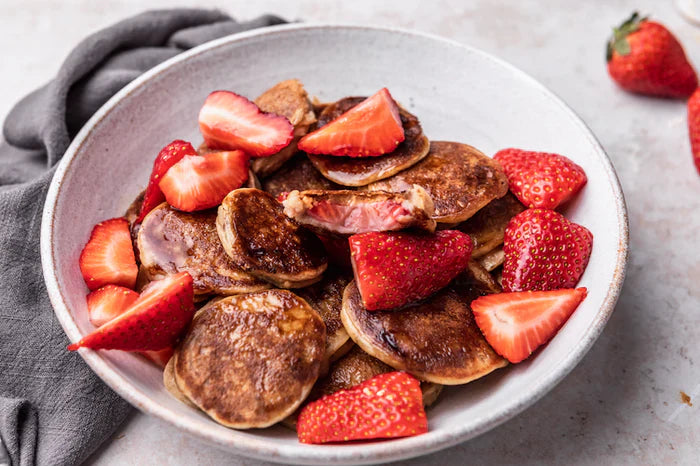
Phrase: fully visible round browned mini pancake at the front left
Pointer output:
(250, 360)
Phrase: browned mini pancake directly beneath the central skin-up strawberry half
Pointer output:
(436, 340)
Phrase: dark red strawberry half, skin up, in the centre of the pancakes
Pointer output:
(395, 269)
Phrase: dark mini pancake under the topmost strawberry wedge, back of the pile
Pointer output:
(350, 171)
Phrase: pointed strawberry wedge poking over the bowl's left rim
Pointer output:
(153, 322)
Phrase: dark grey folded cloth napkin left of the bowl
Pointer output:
(53, 409)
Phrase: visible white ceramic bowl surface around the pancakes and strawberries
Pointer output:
(458, 93)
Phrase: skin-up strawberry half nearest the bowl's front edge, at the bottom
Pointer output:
(388, 405)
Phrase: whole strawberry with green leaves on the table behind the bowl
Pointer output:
(644, 57)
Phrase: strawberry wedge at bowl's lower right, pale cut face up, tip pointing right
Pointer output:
(516, 324)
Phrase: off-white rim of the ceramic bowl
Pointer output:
(263, 448)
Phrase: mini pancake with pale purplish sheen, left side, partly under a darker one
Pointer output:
(171, 241)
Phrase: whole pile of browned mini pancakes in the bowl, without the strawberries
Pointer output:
(279, 326)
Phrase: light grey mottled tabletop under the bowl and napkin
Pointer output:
(622, 404)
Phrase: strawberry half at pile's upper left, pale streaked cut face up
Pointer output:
(229, 121)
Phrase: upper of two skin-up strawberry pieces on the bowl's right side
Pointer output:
(539, 179)
